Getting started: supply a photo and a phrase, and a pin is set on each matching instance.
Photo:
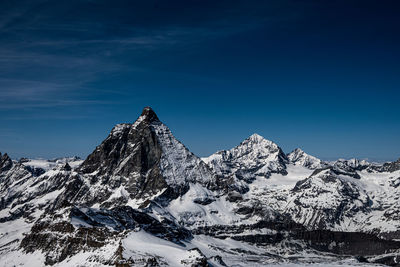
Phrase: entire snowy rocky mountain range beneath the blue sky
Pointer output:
(141, 198)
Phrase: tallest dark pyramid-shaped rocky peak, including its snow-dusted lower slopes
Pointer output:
(137, 162)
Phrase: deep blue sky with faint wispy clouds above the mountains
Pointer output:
(319, 75)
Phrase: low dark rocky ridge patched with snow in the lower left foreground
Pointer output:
(84, 228)
